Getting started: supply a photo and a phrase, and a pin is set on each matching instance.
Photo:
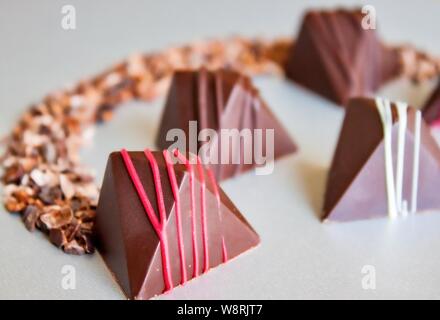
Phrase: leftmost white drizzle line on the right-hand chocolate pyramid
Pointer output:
(384, 109)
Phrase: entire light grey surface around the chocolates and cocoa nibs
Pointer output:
(299, 257)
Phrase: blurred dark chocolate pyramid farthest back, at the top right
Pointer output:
(338, 59)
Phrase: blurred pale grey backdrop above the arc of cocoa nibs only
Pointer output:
(38, 56)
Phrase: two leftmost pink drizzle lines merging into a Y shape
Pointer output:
(158, 226)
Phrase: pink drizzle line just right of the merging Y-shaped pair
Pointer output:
(175, 188)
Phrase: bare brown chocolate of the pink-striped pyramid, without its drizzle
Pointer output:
(127, 239)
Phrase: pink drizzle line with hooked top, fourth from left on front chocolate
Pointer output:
(189, 168)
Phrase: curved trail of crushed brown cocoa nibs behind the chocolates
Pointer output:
(40, 168)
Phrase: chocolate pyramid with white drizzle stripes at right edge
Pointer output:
(386, 163)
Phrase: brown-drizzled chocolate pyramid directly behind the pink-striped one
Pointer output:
(221, 100)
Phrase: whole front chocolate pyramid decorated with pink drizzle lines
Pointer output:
(161, 224)
